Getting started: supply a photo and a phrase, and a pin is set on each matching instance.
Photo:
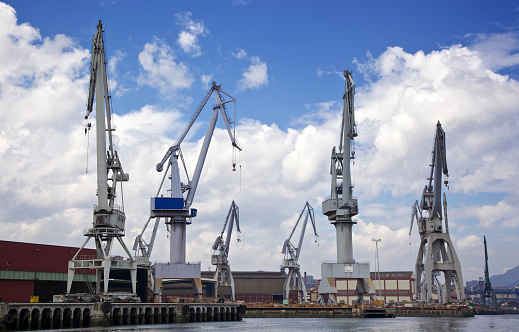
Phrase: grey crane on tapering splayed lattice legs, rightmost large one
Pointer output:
(436, 254)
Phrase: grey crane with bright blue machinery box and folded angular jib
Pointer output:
(176, 209)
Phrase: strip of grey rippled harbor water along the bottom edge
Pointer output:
(499, 323)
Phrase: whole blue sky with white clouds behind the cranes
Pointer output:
(413, 63)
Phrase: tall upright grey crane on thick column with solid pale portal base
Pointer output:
(341, 207)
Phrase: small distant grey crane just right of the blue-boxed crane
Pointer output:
(223, 273)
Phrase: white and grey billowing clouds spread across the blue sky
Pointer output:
(48, 197)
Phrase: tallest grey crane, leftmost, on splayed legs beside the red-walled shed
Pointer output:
(109, 218)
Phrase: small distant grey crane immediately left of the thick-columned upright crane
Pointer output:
(294, 282)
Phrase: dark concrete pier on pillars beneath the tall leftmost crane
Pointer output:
(36, 316)
